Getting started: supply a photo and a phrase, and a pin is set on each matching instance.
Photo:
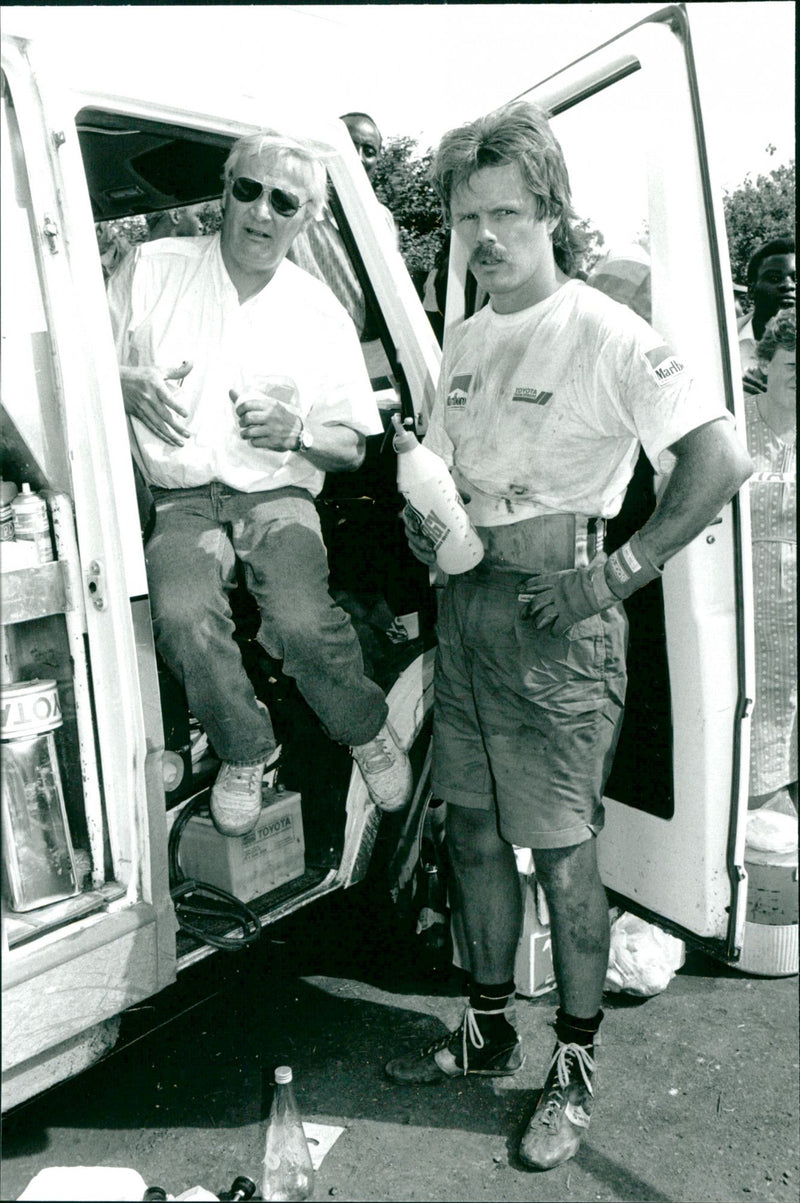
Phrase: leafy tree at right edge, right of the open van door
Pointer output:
(758, 211)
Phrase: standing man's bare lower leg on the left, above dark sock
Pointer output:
(489, 900)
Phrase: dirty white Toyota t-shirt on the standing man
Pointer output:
(546, 410)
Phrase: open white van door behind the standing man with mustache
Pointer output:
(629, 118)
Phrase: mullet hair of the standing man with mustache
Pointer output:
(518, 133)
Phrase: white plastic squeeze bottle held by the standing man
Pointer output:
(424, 479)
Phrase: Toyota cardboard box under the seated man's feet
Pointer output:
(251, 866)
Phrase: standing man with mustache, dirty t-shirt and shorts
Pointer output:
(544, 400)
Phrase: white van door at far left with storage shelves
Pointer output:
(80, 621)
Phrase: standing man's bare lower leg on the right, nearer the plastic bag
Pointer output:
(579, 920)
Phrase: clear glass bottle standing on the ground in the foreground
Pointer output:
(288, 1172)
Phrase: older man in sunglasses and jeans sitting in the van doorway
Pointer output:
(235, 472)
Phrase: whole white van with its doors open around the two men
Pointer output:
(132, 757)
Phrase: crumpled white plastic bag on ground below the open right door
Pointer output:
(643, 958)
